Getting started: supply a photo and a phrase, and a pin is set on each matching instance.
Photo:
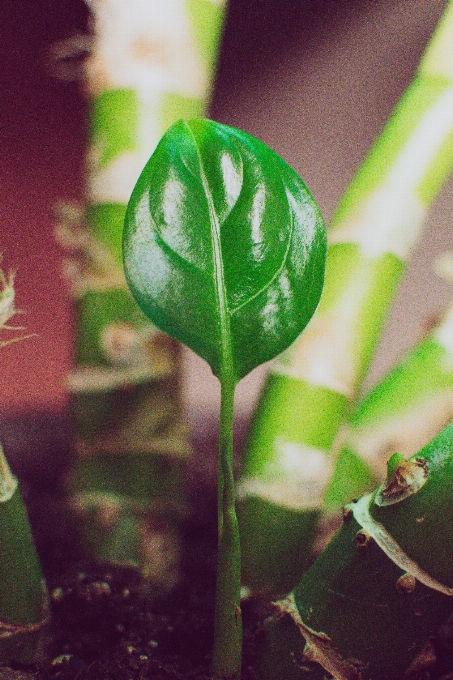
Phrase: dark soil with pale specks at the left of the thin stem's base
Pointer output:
(105, 625)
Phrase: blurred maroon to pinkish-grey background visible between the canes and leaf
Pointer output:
(314, 79)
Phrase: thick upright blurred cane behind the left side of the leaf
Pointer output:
(151, 64)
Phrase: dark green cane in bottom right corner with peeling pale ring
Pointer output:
(367, 608)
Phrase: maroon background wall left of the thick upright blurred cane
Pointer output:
(42, 124)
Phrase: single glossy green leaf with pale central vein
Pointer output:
(224, 246)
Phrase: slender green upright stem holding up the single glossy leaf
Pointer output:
(228, 622)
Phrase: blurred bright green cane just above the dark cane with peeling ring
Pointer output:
(409, 406)
